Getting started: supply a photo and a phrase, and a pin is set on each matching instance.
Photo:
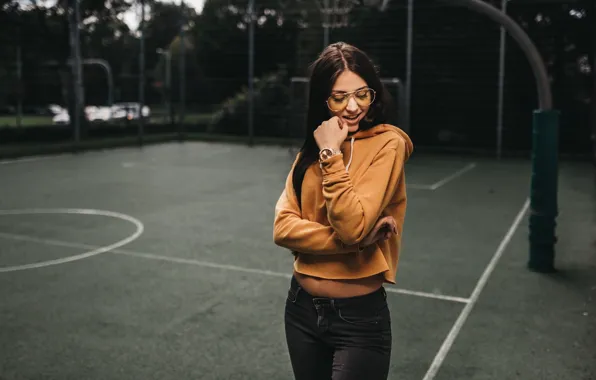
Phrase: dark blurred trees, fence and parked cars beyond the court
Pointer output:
(149, 70)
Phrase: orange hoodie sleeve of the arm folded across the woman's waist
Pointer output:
(300, 235)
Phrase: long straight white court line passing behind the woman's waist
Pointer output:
(207, 264)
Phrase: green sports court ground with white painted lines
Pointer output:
(158, 263)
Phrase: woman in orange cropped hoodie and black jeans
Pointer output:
(341, 214)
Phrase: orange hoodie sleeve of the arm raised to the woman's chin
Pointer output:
(354, 208)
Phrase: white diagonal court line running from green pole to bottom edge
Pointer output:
(463, 316)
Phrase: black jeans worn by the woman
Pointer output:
(338, 338)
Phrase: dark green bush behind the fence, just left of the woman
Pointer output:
(271, 100)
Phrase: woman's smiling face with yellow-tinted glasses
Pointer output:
(350, 99)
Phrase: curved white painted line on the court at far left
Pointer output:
(77, 211)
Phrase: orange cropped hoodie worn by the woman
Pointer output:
(342, 199)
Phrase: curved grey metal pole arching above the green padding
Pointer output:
(525, 43)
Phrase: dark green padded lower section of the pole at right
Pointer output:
(544, 187)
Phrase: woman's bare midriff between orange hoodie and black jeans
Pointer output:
(321, 287)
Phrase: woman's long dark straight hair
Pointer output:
(324, 71)
